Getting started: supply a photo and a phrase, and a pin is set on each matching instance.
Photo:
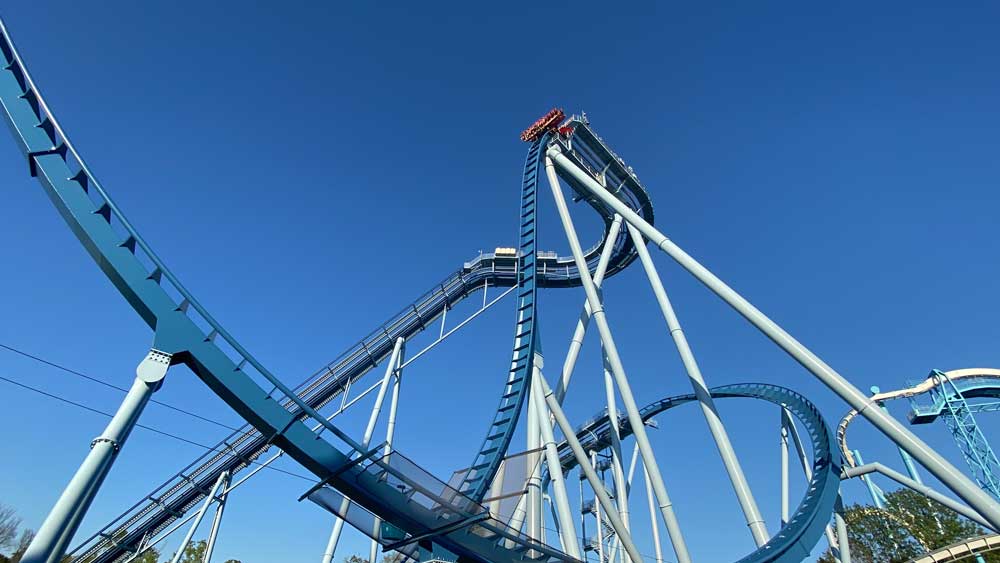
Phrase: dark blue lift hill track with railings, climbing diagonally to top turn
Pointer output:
(166, 503)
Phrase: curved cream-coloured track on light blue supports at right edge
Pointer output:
(971, 382)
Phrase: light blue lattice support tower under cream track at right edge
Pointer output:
(949, 400)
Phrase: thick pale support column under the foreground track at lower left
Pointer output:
(60, 525)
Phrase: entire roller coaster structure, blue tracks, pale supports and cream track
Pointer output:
(492, 510)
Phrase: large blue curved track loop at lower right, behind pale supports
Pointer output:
(793, 542)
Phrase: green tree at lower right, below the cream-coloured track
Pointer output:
(908, 526)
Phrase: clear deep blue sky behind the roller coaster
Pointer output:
(309, 168)
